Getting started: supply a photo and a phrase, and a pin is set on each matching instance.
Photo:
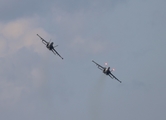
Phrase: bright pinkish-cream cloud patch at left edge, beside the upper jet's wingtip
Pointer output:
(18, 34)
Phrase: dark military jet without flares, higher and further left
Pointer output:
(50, 46)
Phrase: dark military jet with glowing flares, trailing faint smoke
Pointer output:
(106, 71)
